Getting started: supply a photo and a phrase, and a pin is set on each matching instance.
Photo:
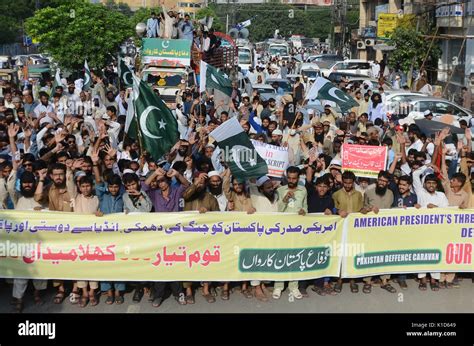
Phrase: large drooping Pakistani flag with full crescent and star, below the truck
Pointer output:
(157, 125)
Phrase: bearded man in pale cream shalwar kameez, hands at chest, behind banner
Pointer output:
(291, 199)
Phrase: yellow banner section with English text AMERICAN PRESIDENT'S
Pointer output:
(409, 241)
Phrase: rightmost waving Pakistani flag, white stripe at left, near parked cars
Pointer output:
(323, 89)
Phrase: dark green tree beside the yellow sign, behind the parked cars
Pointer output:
(412, 46)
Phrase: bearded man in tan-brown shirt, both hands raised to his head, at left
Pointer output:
(59, 197)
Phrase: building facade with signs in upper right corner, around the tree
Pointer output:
(455, 32)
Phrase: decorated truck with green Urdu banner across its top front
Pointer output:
(166, 65)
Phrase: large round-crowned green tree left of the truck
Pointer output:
(77, 31)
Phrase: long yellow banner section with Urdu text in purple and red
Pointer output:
(169, 246)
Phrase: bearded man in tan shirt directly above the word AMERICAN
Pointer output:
(377, 197)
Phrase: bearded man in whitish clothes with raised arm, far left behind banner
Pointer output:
(25, 201)
